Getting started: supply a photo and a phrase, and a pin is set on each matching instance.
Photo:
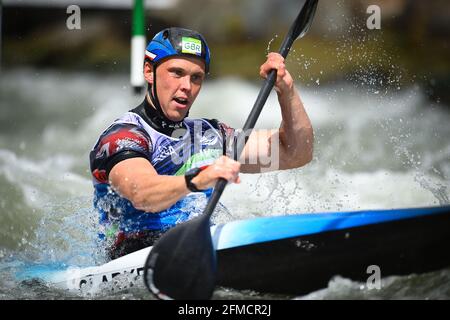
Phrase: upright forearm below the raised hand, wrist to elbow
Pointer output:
(296, 133)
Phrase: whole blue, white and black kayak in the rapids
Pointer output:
(297, 254)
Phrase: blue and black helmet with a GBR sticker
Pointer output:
(177, 42)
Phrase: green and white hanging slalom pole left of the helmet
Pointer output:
(137, 46)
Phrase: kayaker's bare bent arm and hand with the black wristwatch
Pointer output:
(137, 180)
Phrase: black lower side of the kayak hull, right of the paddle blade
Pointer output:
(305, 263)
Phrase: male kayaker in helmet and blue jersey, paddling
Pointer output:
(153, 167)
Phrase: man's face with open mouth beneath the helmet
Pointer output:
(178, 82)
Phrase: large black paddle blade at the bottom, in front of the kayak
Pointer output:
(183, 266)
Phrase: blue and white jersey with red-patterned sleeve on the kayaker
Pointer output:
(197, 144)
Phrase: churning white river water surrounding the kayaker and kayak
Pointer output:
(373, 149)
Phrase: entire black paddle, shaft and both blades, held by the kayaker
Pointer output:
(182, 264)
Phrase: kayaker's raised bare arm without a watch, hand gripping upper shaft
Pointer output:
(291, 146)
